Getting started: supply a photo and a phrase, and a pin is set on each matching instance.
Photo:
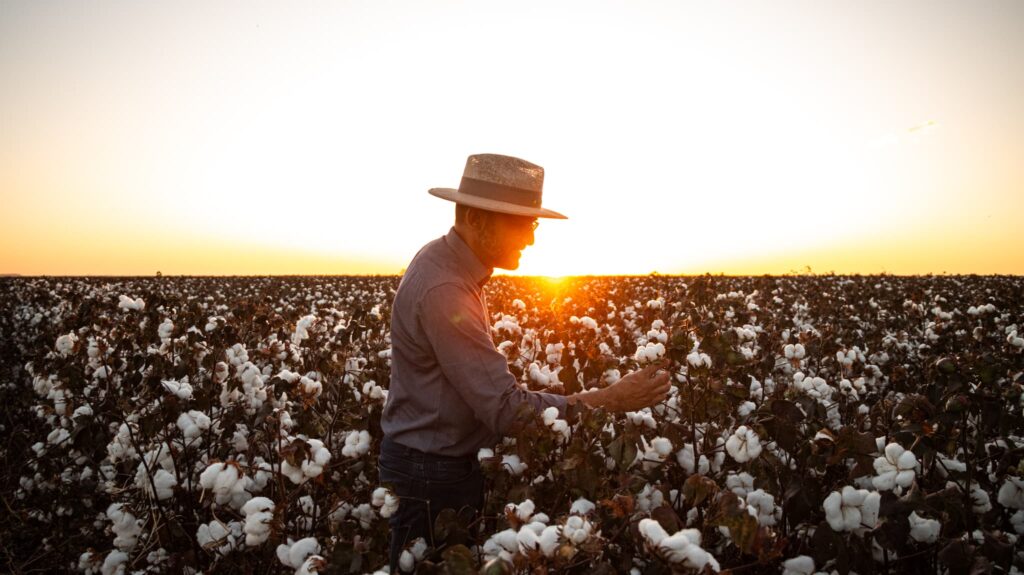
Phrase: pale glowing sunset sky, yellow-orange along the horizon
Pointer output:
(224, 139)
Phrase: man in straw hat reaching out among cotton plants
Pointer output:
(451, 390)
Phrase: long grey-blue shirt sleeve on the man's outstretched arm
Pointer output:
(459, 333)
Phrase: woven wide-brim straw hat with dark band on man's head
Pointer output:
(500, 184)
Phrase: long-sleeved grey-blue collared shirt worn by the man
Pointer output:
(451, 391)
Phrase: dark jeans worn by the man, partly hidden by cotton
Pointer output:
(426, 484)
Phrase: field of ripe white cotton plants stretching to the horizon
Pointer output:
(818, 424)
